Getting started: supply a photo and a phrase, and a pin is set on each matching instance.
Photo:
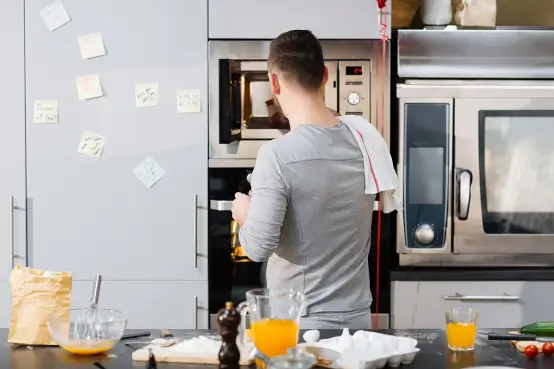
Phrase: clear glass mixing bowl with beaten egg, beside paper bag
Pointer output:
(73, 334)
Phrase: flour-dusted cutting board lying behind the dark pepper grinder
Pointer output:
(170, 355)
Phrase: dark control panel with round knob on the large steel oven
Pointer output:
(425, 136)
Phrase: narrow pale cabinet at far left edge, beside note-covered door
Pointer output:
(12, 149)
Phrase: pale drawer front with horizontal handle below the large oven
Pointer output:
(501, 304)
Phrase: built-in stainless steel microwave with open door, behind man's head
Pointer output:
(243, 115)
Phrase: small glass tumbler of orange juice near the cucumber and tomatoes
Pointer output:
(461, 328)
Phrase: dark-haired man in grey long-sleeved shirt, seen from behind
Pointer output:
(308, 214)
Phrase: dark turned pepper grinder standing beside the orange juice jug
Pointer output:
(229, 321)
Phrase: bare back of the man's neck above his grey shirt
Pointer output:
(310, 110)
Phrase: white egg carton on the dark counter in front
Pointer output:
(363, 350)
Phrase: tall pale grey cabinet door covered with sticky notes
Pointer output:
(92, 215)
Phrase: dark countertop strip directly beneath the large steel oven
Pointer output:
(471, 274)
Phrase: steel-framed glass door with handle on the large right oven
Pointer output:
(504, 176)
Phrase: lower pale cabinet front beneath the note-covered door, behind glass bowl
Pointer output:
(151, 304)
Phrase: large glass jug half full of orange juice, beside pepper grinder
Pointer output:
(270, 320)
